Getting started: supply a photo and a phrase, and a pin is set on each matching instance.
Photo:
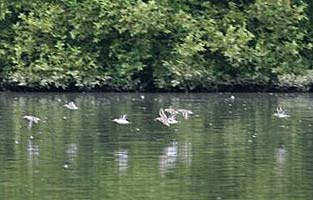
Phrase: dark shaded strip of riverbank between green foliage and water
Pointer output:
(291, 86)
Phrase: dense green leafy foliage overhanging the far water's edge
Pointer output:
(164, 45)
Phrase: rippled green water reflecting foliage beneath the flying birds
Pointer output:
(229, 149)
